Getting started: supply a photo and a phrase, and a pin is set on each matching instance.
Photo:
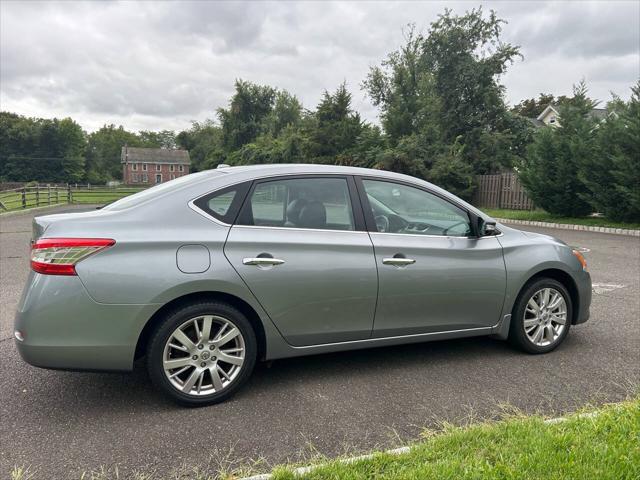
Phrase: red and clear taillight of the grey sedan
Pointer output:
(59, 256)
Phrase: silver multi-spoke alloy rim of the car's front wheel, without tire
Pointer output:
(545, 317)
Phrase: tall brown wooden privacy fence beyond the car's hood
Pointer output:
(503, 190)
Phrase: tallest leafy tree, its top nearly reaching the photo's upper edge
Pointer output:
(466, 55)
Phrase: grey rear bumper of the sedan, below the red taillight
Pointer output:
(62, 327)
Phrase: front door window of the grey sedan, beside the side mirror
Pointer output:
(399, 208)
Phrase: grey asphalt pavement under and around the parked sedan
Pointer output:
(63, 423)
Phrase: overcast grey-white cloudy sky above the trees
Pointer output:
(157, 65)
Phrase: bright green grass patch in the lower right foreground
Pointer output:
(606, 446)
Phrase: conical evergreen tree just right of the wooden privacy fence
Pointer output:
(550, 169)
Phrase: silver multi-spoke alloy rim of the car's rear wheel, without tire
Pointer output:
(204, 355)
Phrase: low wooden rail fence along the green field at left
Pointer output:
(30, 196)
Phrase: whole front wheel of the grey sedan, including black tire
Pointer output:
(525, 324)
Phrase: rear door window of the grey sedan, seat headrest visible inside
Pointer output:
(319, 203)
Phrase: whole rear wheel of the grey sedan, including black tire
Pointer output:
(190, 320)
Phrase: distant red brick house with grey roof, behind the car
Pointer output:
(153, 165)
